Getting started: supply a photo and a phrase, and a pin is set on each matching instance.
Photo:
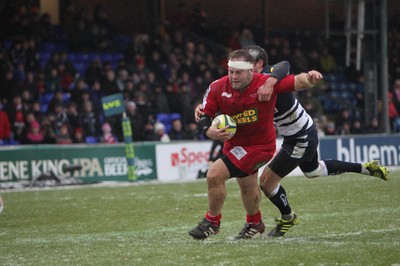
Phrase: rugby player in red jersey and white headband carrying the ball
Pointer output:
(244, 153)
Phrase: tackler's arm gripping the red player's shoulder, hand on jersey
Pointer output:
(277, 72)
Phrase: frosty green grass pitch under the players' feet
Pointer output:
(344, 220)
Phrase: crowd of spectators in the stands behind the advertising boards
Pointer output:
(52, 81)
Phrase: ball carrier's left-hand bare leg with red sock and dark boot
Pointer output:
(216, 177)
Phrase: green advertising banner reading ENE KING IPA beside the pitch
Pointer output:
(99, 162)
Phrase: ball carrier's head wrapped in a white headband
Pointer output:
(240, 69)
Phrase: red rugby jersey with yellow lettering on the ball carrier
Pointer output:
(255, 120)
